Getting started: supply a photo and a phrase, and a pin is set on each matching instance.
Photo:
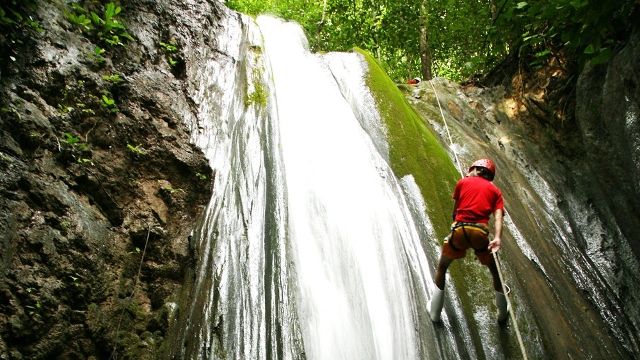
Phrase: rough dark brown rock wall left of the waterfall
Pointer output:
(99, 185)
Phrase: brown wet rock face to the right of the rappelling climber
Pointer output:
(571, 192)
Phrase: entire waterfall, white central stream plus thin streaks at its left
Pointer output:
(308, 248)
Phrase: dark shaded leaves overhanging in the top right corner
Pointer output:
(586, 29)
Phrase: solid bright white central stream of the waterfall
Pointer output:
(347, 222)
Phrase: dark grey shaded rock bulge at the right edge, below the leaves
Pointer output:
(608, 112)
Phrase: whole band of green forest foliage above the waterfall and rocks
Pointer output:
(464, 37)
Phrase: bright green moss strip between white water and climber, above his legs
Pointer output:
(413, 148)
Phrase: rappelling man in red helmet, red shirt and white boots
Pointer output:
(476, 199)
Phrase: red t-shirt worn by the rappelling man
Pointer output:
(477, 199)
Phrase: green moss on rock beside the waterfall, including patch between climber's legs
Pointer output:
(414, 149)
